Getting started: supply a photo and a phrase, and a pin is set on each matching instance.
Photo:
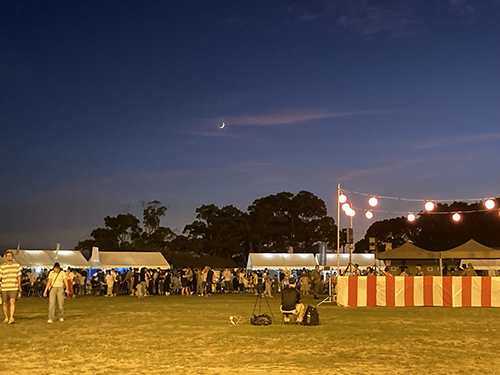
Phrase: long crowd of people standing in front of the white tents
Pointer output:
(188, 281)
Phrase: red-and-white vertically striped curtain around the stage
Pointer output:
(446, 291)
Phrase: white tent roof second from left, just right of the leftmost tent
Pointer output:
(135, 259)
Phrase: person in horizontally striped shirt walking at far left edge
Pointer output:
(10, 275)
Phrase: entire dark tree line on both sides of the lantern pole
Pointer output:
(283, 221)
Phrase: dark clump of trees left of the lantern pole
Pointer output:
(274, 223)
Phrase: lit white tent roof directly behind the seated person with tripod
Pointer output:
(280, 260)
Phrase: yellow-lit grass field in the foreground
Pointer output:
(163, 335)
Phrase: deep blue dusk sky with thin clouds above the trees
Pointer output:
(104, 104)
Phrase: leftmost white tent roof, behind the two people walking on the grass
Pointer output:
(47, 258)
